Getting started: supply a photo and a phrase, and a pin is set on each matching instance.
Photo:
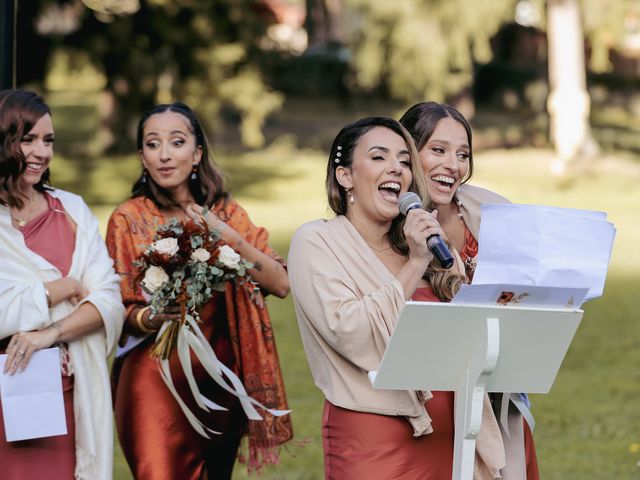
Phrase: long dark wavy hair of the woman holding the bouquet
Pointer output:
(208, 186)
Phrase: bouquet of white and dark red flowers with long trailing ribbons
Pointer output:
(184, 266)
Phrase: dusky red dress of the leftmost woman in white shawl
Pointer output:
(51, 236)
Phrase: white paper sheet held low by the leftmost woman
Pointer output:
(32, 401)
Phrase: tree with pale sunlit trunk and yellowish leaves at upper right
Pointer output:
(607, 26)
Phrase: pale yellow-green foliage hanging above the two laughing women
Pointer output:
(416, 49)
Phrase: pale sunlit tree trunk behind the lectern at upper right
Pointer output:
(568, 102)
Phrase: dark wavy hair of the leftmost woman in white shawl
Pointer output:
(20, 110)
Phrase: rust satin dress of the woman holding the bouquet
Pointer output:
(149, 420)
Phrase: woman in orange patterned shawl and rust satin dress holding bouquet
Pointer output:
(180, 180)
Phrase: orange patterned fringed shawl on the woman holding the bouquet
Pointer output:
(131, 229)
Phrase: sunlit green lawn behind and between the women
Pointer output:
(588, 426)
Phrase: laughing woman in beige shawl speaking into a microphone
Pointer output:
(350, 278)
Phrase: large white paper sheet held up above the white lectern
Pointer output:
(544, 246)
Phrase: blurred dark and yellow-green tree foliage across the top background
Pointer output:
(218, 55)
